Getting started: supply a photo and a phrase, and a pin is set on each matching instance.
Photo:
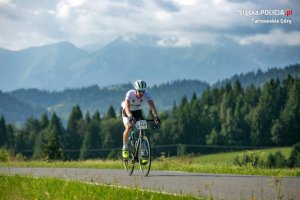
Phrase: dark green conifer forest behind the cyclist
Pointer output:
(231, 115)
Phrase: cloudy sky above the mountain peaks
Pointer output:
(177, 23)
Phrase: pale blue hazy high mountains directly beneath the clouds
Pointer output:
(63, 66)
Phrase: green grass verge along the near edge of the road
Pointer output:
(23, 187)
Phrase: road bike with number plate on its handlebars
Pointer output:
(139, 148)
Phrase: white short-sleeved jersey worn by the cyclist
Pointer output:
(136, 103)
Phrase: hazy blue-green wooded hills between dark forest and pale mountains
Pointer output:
(18, 105)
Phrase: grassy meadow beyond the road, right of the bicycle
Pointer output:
(222, 163)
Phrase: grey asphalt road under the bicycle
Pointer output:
(217, 186)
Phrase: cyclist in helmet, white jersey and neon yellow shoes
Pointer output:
(132, 111)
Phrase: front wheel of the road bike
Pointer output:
(144, 155)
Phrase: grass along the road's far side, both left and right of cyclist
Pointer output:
(221, 163)
